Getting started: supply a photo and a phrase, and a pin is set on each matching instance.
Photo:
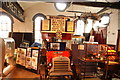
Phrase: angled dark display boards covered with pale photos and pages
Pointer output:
(29, 58)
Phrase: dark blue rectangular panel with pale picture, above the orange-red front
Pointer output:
(56, 46)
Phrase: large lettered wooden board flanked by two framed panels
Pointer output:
(57, 25)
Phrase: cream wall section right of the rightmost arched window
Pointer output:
(112, 29)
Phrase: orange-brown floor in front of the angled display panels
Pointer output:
(22, 74)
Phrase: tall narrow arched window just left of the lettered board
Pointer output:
(37, 27)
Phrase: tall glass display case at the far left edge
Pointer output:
(7, 62)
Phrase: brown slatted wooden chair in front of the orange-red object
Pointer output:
(60, 67)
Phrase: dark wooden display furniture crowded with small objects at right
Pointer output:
(99, 57)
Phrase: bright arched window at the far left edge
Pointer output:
(5, 25)
